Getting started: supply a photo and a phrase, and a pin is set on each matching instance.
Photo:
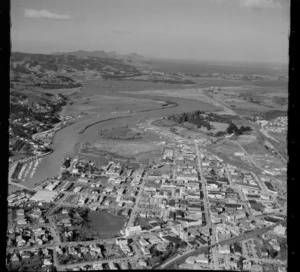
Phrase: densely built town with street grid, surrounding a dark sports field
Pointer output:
(188, 201)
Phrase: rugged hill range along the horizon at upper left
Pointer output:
(26, 63)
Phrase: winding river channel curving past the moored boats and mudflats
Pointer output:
(66, 139)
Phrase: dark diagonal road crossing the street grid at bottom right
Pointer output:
(180, 259)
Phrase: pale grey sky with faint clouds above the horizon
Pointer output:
(211, 30)
